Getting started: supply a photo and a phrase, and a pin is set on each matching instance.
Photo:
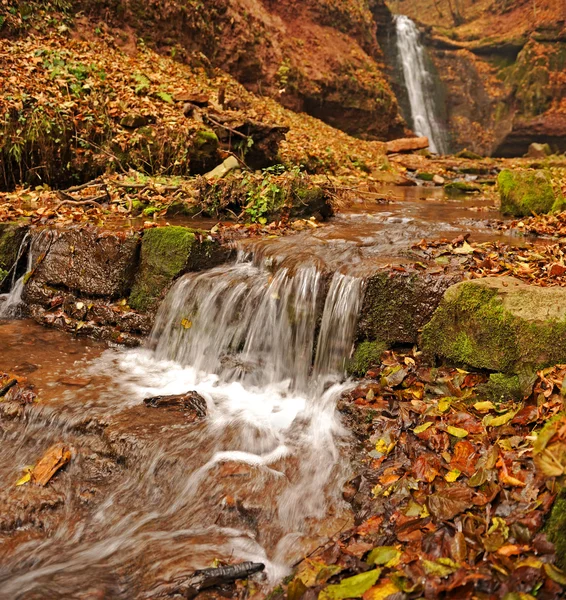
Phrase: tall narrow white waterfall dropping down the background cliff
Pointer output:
(419, 83)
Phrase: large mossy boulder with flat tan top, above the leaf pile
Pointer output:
(500, 324)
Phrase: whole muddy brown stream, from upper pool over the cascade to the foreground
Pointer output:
(150, 494)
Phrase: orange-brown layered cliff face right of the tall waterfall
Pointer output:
(503, 65)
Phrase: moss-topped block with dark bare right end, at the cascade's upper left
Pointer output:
(166, 253)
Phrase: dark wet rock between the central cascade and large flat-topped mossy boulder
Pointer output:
(397, 305)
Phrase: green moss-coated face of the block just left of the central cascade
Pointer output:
(165, 254)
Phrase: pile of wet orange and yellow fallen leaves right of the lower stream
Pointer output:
(452, 493)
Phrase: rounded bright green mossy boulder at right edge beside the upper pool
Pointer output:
(524, 192)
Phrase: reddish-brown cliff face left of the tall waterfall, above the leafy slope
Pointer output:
(319, 56)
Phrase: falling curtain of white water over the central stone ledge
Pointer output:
(256, 323)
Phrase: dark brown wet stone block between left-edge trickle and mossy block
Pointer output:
(87, 260)
